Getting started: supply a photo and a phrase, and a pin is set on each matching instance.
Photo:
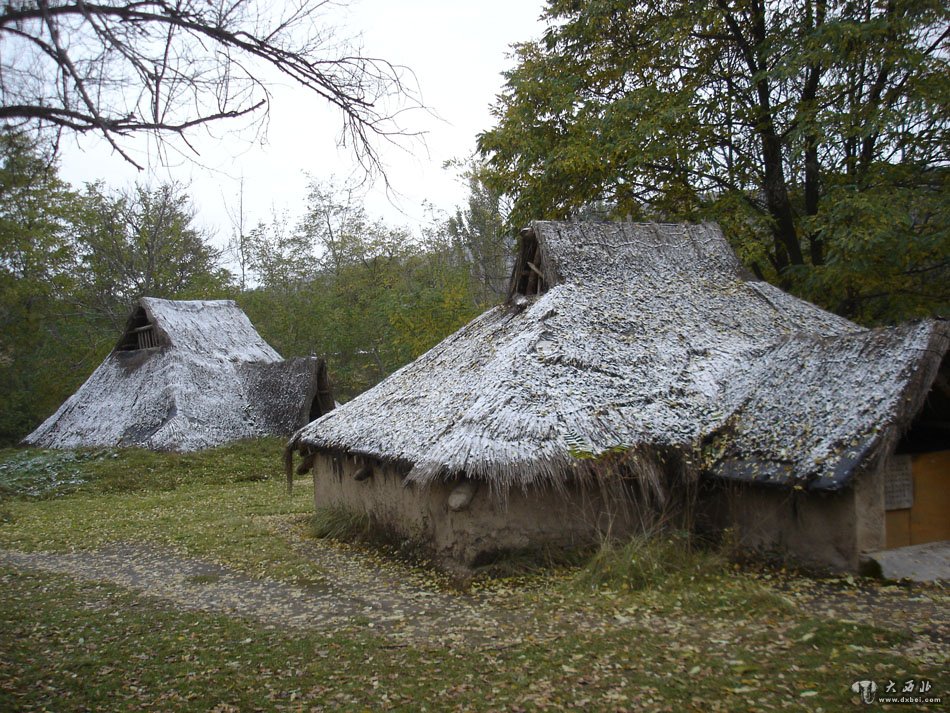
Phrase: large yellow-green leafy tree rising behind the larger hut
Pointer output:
(814, 130)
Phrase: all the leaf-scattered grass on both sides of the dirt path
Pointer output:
(649, 625)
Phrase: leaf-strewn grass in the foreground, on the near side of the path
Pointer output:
(95, 647)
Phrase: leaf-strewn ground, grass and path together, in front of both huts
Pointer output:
(201, 587)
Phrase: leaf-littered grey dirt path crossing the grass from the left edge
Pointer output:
(356, 593)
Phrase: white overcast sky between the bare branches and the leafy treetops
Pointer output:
(456, 49)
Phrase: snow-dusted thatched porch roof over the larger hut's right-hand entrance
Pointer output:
(820, 408)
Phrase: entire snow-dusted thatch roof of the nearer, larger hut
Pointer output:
(622, 336)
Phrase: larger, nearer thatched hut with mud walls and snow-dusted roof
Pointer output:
(632, 366)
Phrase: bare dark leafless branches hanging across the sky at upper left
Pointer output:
(123, 67)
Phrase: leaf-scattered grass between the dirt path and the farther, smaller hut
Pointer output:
(227, 504)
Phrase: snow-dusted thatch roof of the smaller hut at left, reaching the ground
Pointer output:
(187, 375)
